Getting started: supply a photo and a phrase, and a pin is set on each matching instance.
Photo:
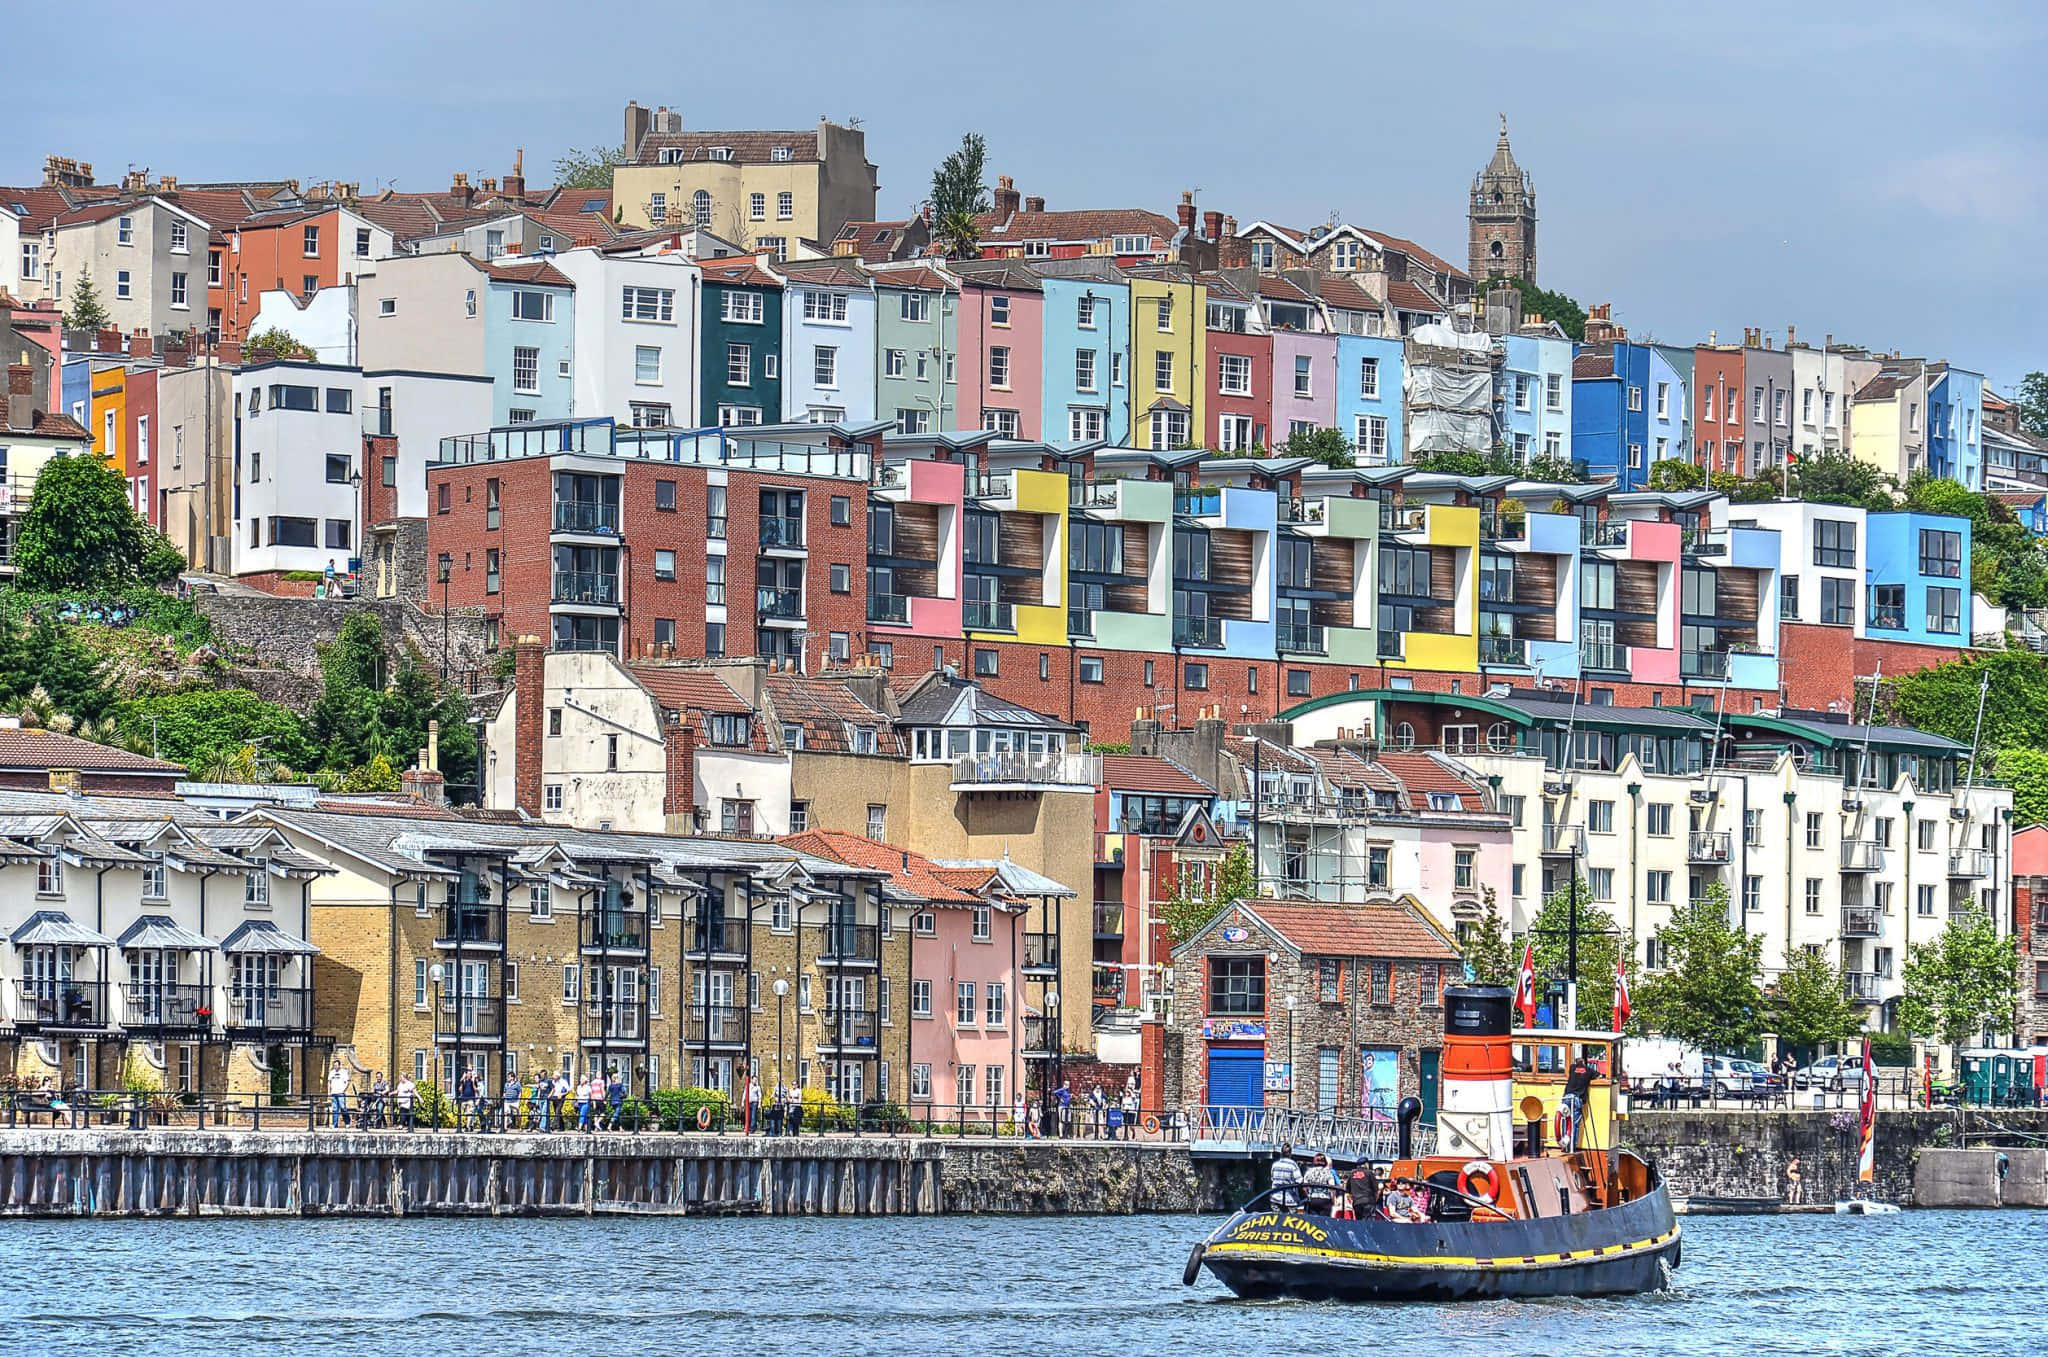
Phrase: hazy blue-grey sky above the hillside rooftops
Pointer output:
(1877, 171)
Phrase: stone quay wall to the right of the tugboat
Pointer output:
(1746, 1153)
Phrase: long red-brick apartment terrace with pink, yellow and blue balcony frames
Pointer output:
(1095, 584)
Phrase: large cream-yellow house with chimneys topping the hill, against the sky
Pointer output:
(757, 189)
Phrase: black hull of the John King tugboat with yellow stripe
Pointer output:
(1615, 1252)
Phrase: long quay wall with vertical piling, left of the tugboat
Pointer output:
(437, 1174)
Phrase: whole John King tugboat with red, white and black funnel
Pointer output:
(1494, 1213)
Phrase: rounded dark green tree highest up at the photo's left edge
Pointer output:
(81, 531)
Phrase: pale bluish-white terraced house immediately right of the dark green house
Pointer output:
(828, 343)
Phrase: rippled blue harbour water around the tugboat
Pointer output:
(1920, 1282)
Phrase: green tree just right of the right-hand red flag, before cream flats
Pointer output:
(1711, 992)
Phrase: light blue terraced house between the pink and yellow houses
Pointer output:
(1086, 349)
